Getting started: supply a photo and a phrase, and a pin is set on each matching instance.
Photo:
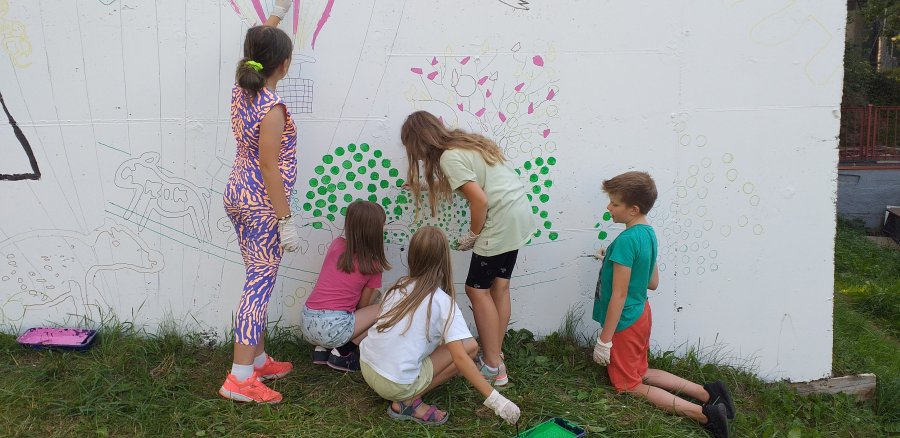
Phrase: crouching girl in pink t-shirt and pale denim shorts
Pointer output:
(341, 307)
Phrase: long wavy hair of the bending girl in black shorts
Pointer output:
(425, 139)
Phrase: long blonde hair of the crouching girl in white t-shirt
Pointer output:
(429, 269)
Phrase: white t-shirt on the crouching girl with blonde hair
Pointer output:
(398, 357)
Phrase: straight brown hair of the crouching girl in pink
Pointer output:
(364, 231)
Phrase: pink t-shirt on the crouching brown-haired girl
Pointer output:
(336, 289)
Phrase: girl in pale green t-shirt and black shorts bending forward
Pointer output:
(501, 219)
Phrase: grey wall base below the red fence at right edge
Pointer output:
(864, 194)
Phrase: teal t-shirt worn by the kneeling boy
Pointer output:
(636, 248)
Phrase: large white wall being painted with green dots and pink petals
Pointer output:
(732, 105)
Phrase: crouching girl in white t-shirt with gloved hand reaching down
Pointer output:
(421, 340)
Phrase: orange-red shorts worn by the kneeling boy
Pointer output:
(628, 357)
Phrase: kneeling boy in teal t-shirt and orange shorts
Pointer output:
(621, 307)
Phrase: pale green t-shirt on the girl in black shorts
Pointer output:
(510, 222)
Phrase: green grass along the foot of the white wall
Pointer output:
(136, 384)
